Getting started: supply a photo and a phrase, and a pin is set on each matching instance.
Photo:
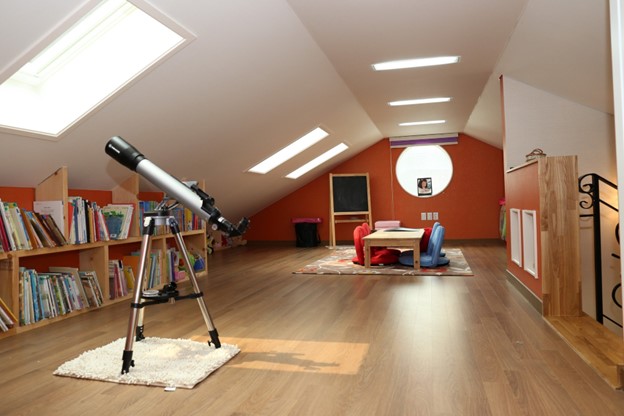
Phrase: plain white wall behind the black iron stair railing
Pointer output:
(537, 119)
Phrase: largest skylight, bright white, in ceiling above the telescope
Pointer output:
(77, 72)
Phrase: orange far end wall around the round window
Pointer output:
(468, 208)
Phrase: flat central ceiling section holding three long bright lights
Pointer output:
(356, 36)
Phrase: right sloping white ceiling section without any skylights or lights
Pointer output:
(559, 46)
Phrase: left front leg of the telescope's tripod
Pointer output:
(136, 314)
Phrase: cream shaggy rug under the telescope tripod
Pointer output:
(158, 362)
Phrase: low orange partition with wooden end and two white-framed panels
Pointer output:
(542, 202)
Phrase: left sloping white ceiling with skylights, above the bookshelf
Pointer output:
(252, 81)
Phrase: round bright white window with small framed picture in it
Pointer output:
(424, 171)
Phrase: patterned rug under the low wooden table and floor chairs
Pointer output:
(339, 262)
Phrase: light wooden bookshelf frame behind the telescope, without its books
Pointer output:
(92, 256)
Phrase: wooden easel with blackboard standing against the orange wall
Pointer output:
(349, 196)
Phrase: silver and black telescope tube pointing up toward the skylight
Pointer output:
(191, 197)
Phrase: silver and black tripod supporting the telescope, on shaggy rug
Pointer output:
(169, 293)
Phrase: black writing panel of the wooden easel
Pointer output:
(350, 193)
